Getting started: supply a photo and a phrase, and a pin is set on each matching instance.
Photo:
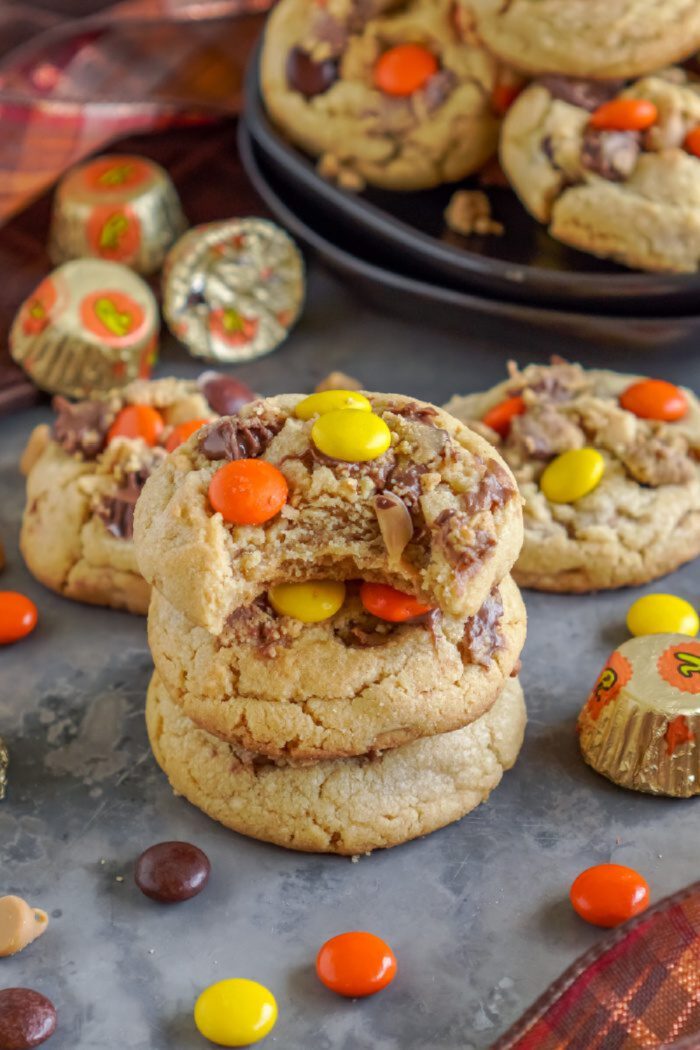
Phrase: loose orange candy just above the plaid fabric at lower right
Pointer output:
(609, 895)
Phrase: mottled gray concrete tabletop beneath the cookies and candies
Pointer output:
(478, 913)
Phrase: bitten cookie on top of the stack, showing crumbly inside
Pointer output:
(460, 500)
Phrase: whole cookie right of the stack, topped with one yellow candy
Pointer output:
(643, 520)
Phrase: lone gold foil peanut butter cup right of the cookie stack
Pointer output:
(641, 726)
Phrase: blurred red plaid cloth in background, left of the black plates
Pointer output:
(71, 87)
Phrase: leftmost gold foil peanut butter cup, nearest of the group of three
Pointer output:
(89, 328)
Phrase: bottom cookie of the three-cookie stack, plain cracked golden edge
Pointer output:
(348, 806)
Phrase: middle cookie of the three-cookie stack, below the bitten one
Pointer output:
(383, 685)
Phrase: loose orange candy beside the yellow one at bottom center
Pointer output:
(356, 964)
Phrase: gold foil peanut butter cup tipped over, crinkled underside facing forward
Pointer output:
(234, 290)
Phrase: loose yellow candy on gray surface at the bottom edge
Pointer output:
(236, 1013)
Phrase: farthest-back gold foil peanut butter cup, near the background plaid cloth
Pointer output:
(120, 208)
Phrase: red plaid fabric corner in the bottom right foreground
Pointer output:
(640, 988)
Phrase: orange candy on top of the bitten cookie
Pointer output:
(248, 492)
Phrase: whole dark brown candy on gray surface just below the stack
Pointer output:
(173, 872)
